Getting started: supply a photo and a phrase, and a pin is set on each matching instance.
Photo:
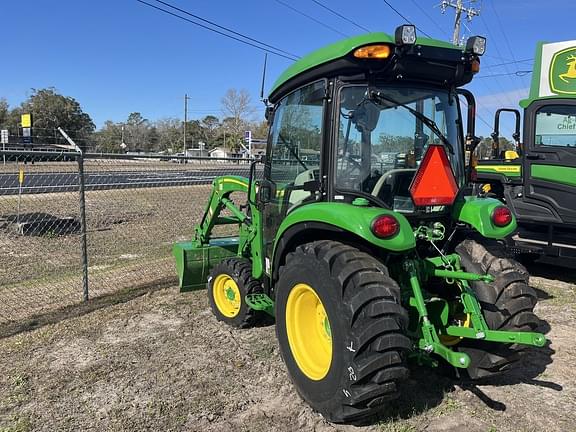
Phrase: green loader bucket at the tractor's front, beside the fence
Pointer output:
(193, 264)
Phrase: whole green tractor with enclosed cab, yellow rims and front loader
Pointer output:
(361, 237)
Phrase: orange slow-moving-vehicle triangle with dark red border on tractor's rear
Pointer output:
(434, 183)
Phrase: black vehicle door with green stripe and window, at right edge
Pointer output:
(550, 161)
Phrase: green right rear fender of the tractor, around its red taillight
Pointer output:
(477, 212)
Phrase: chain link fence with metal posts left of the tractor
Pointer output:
(75, 226)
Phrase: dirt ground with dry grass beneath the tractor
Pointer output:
(161, 361)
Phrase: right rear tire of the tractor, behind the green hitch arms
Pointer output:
(507, 304)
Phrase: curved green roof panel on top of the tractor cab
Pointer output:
(342, 48)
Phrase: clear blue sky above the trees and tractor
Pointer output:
(120, 56)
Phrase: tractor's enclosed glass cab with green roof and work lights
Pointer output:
(356, 127)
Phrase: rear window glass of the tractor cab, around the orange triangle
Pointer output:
(381, 142)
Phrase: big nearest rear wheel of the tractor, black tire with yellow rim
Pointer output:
(340, 327)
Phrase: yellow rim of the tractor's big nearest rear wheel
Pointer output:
(309, 333)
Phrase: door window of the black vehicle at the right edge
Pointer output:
(556, 126)
